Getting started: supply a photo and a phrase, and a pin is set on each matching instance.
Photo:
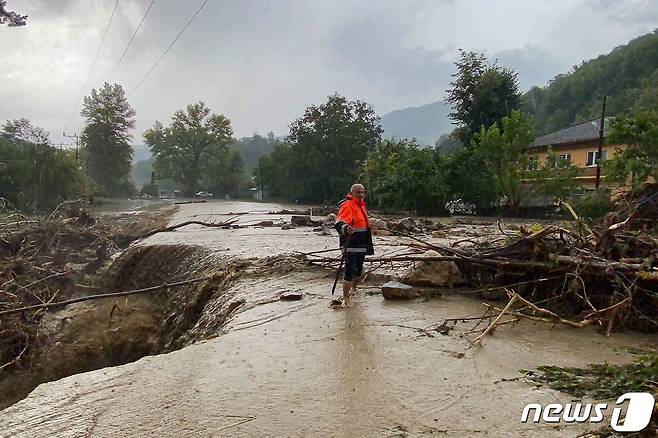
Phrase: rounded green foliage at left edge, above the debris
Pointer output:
(33, 175)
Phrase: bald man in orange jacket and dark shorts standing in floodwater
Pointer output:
(355, 237)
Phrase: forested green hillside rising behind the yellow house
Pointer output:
(628, 76)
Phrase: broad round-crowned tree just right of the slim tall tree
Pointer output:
(193, 149)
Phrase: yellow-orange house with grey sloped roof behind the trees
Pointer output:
(578, 144)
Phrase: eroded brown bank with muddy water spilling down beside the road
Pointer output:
(108, 332)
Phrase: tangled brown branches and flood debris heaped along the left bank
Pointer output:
(50, 259)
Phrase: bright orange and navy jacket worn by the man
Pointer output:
(353, 212)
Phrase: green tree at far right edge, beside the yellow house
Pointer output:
(639, 162)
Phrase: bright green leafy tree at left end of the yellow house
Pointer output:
(504, 155)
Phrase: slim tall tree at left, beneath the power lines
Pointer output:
(109, 119)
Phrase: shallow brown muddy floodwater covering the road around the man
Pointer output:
(299, 368)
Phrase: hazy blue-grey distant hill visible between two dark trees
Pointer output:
(426, 123)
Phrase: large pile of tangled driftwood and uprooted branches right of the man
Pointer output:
(566, 273)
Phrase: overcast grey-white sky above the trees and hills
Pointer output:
(261, 63)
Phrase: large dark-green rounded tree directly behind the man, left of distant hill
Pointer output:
(329, 143)
